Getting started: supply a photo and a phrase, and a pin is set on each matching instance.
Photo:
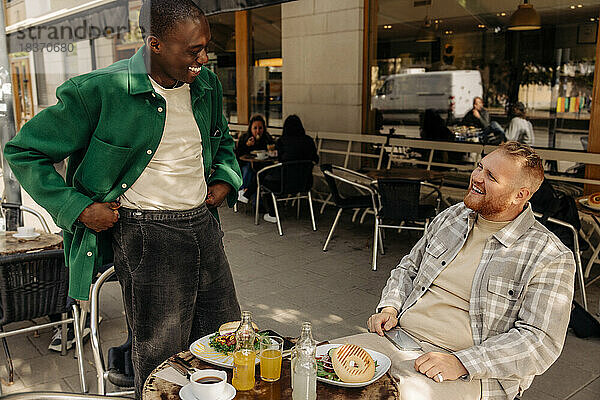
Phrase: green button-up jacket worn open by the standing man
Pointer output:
(109, 124)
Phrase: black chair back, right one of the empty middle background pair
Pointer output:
(399, 199)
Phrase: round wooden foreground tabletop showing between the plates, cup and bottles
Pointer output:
(159, 389)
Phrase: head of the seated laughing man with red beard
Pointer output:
(496, 188)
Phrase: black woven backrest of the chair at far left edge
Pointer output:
(32, 285)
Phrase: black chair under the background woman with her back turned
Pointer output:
(294, 179)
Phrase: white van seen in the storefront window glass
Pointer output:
(404, 97)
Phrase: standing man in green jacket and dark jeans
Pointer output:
(147, 134)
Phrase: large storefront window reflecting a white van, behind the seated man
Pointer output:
(439, 55)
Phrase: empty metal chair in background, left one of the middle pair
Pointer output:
(334, 174)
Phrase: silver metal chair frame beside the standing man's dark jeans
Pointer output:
(103, 373)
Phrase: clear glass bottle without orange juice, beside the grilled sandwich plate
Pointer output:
(304, 366)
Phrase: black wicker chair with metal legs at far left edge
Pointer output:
(34, 285)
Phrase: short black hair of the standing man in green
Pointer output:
(158, 17)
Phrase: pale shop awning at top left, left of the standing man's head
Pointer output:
(89, 21)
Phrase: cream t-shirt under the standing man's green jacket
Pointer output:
(174, 178)
